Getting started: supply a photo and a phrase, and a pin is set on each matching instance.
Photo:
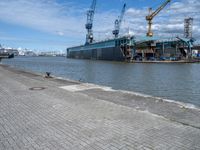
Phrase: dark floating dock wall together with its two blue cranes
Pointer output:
(117, 48)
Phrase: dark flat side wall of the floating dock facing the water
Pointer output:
(112, 54)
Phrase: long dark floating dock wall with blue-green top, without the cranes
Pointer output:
(118, 49)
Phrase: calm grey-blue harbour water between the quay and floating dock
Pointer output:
(173, 81)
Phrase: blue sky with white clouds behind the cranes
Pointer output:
(57, 24)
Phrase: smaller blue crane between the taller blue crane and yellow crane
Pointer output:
(118, 22)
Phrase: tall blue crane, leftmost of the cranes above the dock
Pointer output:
(89, 23)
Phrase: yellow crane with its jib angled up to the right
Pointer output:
(151, 15)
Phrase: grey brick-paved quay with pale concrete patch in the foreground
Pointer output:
(49, 113)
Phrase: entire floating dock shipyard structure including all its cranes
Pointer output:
(129, 48)
